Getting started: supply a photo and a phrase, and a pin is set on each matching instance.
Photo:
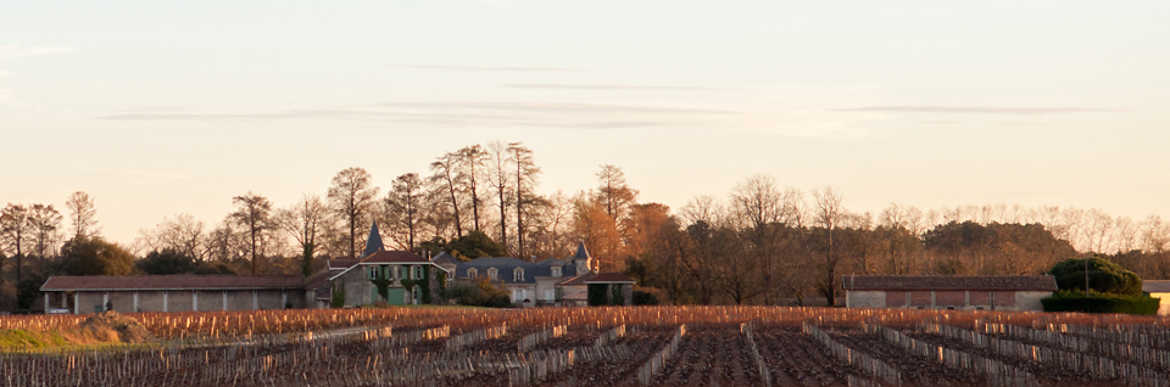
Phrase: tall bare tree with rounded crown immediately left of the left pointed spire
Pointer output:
(352, 198)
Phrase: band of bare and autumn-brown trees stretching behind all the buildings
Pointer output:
(761, 244)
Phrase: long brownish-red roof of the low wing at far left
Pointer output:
(171, 282)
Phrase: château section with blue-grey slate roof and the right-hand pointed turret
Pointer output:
(549, 282)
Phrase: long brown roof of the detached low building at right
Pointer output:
(1048, 284)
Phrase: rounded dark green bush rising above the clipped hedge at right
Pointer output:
(1105, 277)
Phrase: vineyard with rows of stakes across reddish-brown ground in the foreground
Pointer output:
(631, 347)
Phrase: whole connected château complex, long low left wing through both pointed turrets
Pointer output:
(380, 277)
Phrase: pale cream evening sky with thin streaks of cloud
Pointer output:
(160, 108)
